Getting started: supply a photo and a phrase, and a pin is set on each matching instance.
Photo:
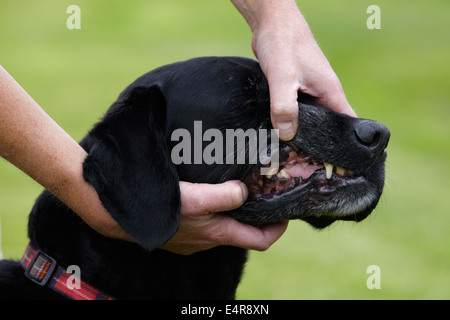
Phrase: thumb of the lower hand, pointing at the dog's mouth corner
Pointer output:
(203, 197)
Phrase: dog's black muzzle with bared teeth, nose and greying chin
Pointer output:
(333, 169)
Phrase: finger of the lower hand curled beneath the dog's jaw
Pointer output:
(253, 238)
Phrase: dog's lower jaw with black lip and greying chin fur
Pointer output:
(318, 201)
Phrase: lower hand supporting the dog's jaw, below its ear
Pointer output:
(202, 226)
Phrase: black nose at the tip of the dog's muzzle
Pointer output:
(371, 136)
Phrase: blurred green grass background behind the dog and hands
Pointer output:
(399, 75)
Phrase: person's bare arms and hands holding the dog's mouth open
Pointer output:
(291, 60)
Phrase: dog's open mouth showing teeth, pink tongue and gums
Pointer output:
(296, 170)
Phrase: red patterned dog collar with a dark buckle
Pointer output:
(43, 270)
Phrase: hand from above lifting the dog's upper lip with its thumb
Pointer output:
(292, 61)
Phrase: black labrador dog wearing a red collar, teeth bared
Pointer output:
(333, 169)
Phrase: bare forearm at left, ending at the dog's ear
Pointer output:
(34, 143)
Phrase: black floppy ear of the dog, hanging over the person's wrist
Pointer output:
(130, 167)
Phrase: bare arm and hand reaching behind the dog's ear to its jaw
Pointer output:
(37, 145)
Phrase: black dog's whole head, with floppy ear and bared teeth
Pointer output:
(180, 123)
